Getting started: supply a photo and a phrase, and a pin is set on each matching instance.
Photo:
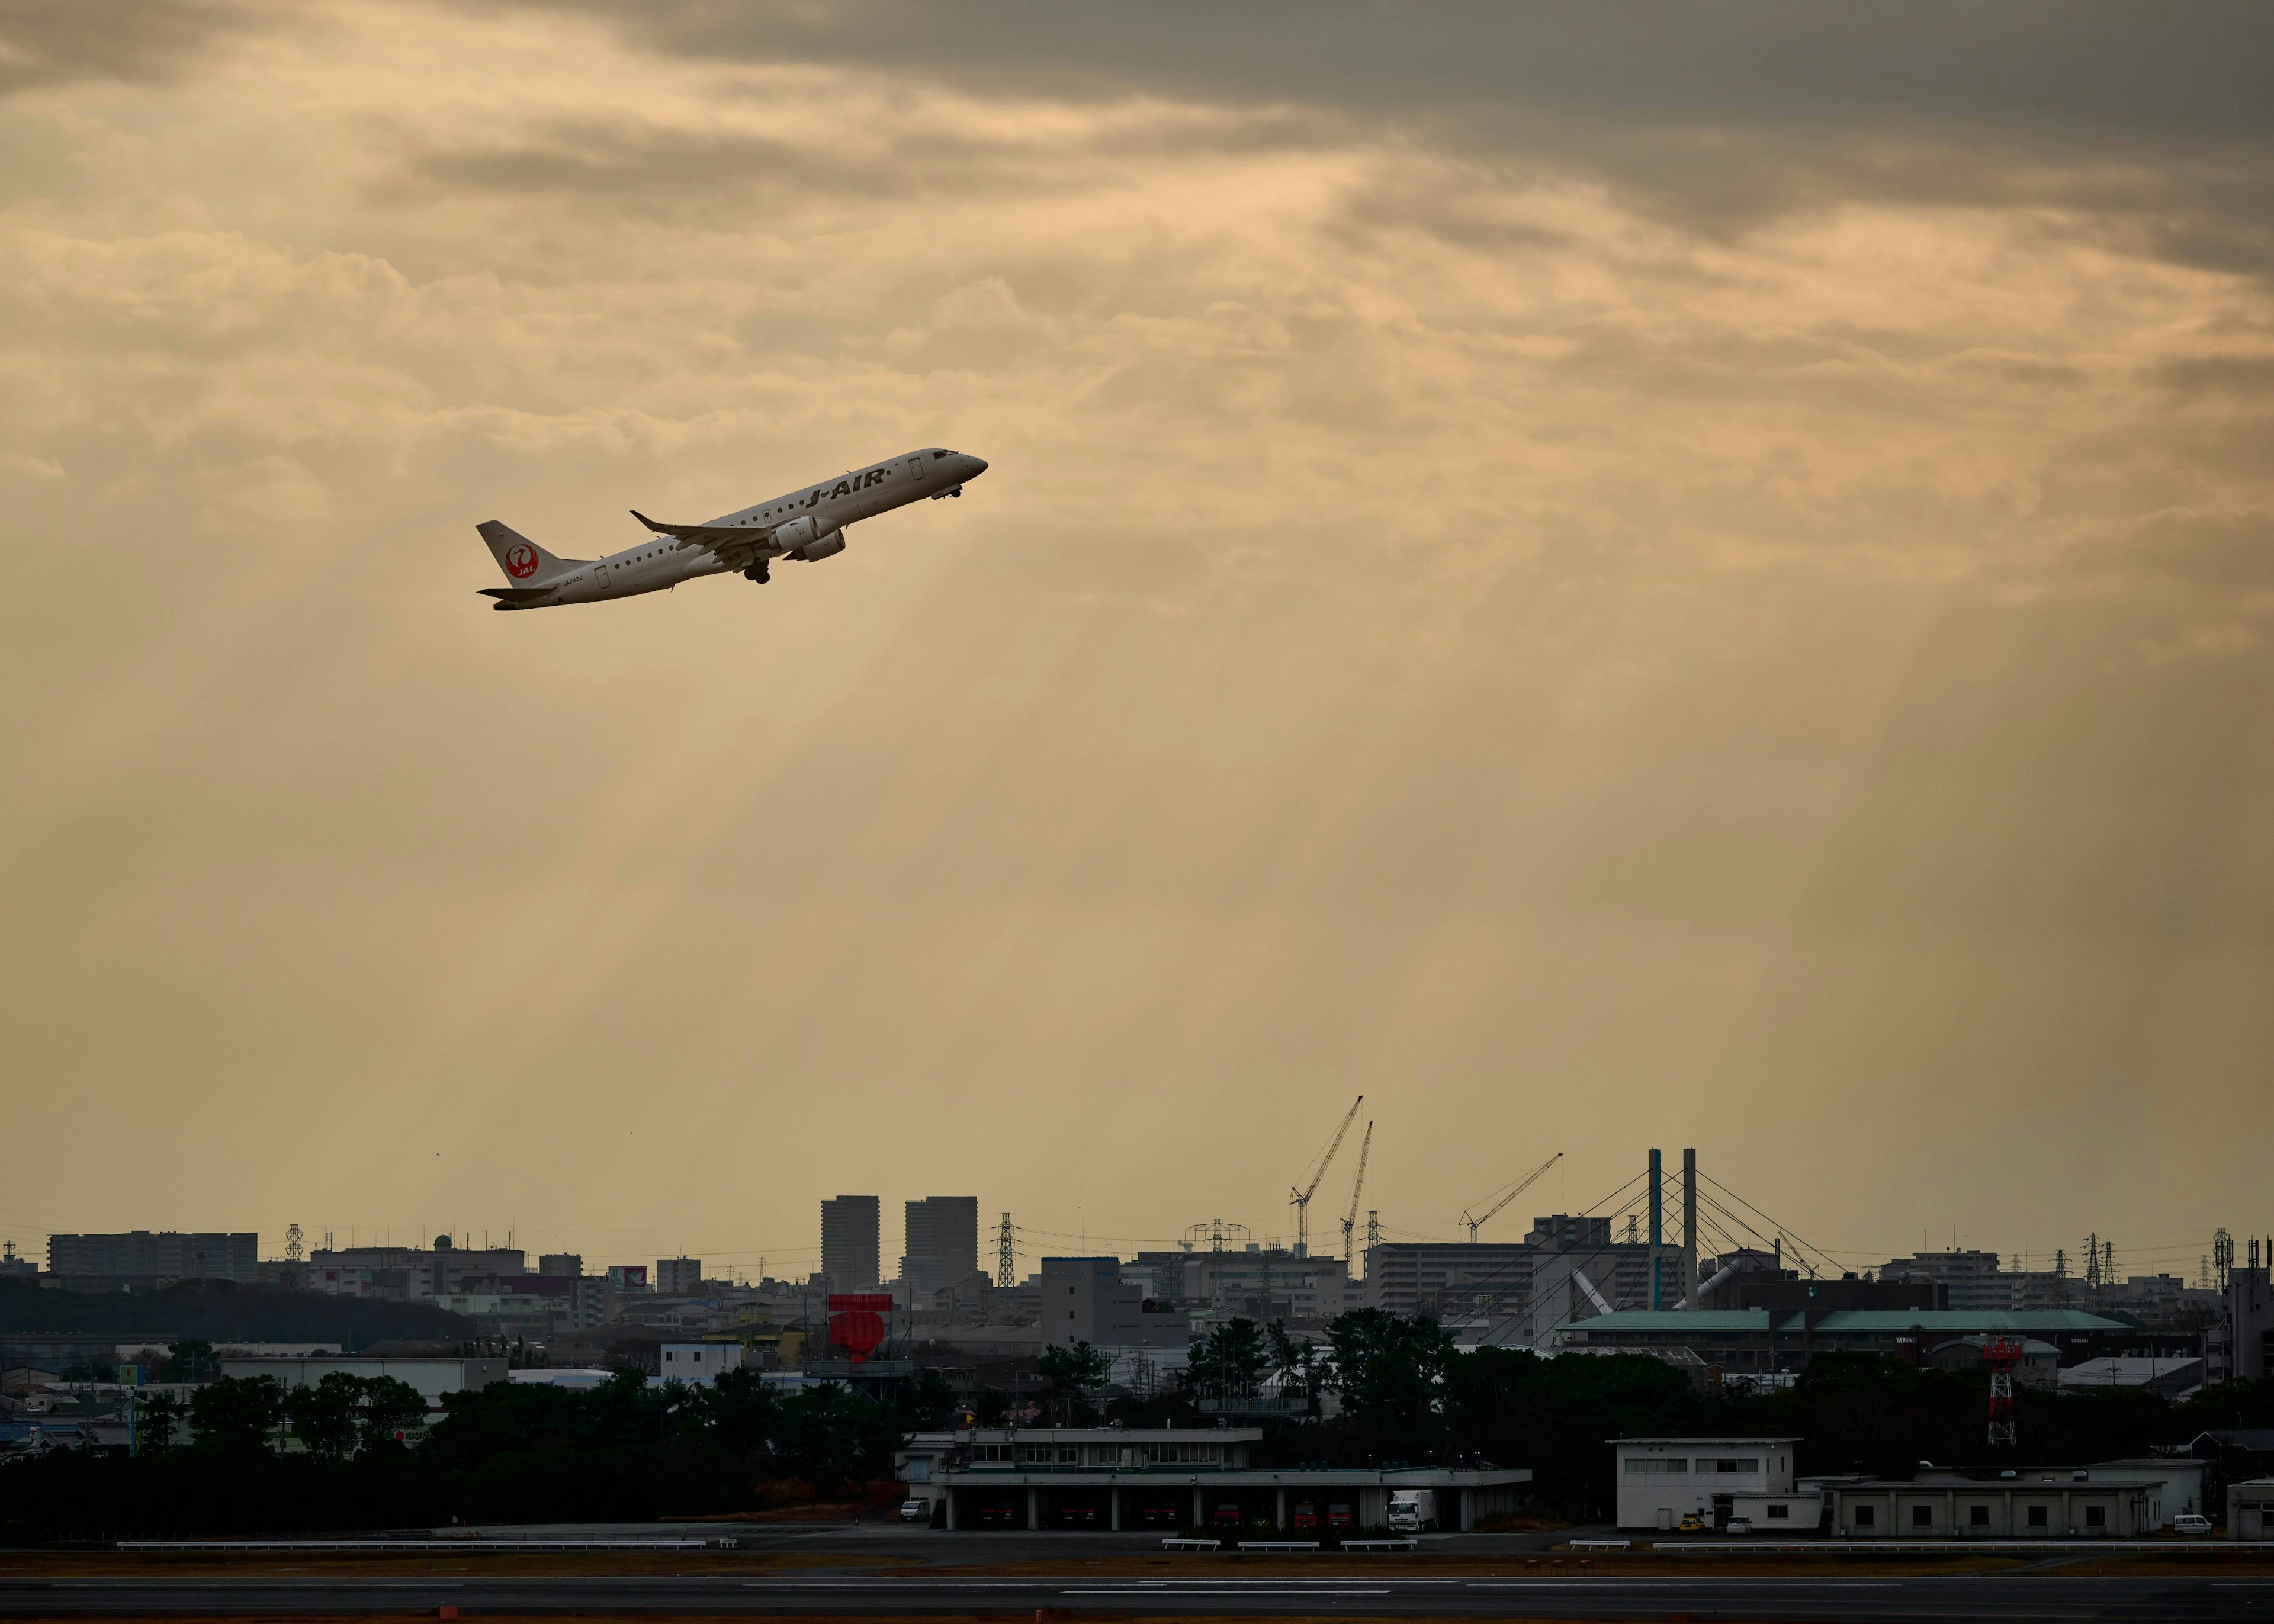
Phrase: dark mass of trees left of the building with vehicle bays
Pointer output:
(251, 1457)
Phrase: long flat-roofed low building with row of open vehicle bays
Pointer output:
(1109, 1477)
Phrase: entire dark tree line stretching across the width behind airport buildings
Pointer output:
(349, 1455)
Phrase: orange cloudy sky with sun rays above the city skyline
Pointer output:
(1602, 577)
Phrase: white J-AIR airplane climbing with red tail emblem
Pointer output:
(806, 527)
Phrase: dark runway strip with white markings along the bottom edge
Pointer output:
(1800, 1600)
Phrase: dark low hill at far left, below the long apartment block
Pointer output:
(222, 1311)
